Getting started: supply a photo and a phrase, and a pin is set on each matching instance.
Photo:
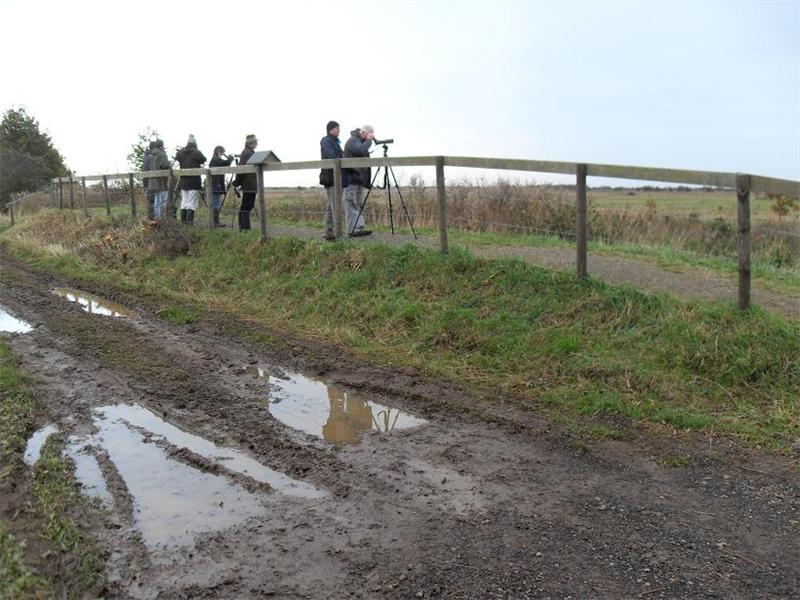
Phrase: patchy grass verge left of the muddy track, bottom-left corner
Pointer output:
(42, 552)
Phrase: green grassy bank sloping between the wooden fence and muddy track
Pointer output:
(570, 349)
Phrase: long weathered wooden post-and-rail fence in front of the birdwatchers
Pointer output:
(744, 184)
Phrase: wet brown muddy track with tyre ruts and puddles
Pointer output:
(484, 500)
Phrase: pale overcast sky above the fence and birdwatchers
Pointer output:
(699, 85)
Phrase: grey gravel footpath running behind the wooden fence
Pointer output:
(689, 284)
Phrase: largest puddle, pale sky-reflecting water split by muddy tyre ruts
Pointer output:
(173, 502)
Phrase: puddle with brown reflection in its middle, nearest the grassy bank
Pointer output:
(328, 412)
